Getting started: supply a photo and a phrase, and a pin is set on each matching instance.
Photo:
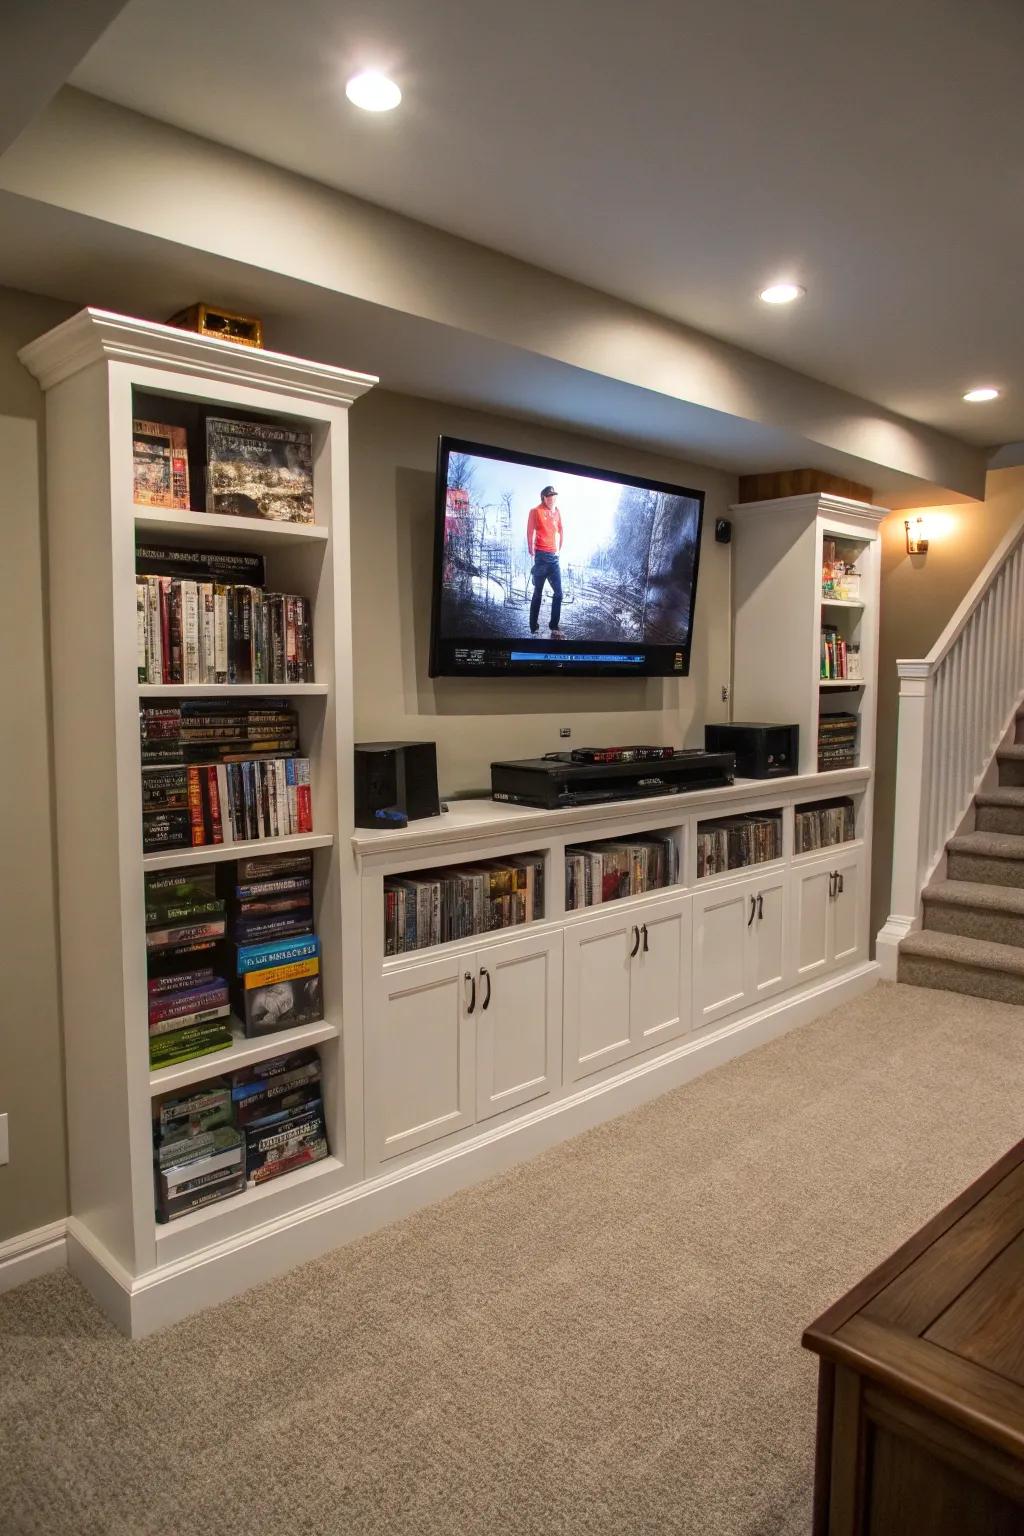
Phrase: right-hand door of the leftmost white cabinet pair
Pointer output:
(518, 1022)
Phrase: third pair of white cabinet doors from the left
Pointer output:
(741, 945)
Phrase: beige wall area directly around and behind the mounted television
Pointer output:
(394, 454)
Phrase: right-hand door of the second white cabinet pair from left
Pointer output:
(659, 979)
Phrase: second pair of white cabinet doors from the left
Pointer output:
(627, 984)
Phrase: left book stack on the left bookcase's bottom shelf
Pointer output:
(199, 1153)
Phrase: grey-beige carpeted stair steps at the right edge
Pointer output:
(973, 939)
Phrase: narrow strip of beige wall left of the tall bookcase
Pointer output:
(33, 1187)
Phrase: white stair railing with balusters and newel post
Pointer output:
(956, 706)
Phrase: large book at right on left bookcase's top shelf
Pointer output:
(259, 469)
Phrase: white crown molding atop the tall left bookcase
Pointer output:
(96, 336)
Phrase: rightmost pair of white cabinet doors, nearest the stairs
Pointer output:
(827, 899)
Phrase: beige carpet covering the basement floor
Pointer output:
(604, 1342)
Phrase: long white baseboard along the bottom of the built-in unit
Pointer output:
(151, 1302)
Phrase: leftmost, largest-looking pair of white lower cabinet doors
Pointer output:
(461, 1039)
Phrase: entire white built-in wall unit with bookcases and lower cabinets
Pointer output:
(449, 1062)
